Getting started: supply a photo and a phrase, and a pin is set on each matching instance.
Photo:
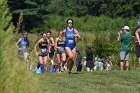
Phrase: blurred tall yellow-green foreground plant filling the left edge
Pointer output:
(14, 77)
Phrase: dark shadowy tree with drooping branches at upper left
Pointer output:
(33, 11)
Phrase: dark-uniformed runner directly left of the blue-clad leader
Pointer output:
(60, 51)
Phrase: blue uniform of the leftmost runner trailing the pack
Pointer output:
(23, 45)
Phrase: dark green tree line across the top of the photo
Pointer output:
(35, 10)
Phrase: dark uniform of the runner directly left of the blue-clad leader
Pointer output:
(61, 46)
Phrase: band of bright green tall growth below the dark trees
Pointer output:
(87, 23)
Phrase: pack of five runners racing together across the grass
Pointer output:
(64, 43)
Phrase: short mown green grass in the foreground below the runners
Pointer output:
(93, 82)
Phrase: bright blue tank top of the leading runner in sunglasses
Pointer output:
(70, 38)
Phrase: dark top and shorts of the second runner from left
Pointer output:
(43, 48)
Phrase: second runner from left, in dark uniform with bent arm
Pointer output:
(42, 53)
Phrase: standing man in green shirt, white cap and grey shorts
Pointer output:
(124, 37)
